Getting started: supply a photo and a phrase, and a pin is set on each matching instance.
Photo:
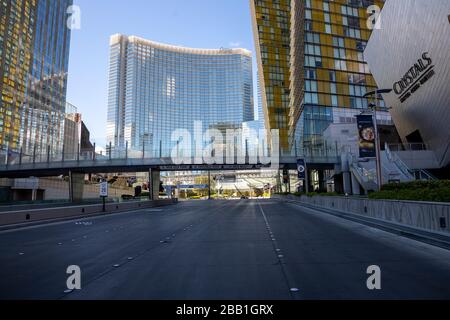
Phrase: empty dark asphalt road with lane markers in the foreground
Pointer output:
(244, 249)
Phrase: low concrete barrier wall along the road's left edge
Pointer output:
(16, 217)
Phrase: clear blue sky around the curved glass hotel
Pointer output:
(191, 23)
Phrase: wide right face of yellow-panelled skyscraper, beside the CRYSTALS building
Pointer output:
(329, 72)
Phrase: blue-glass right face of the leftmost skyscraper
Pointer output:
(43, 114)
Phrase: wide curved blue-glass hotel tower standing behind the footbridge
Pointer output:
(155, 89)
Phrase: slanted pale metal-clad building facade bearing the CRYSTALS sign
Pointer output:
(410, 54)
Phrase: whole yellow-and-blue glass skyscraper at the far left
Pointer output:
(34, 44)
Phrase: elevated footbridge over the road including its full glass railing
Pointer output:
(118, 160)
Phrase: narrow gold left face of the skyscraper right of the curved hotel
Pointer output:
(271, 24)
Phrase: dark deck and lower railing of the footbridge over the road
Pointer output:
(20, 168)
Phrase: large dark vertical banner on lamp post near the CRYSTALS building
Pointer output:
(367, 136)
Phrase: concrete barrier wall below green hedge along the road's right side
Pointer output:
(422, 215)
